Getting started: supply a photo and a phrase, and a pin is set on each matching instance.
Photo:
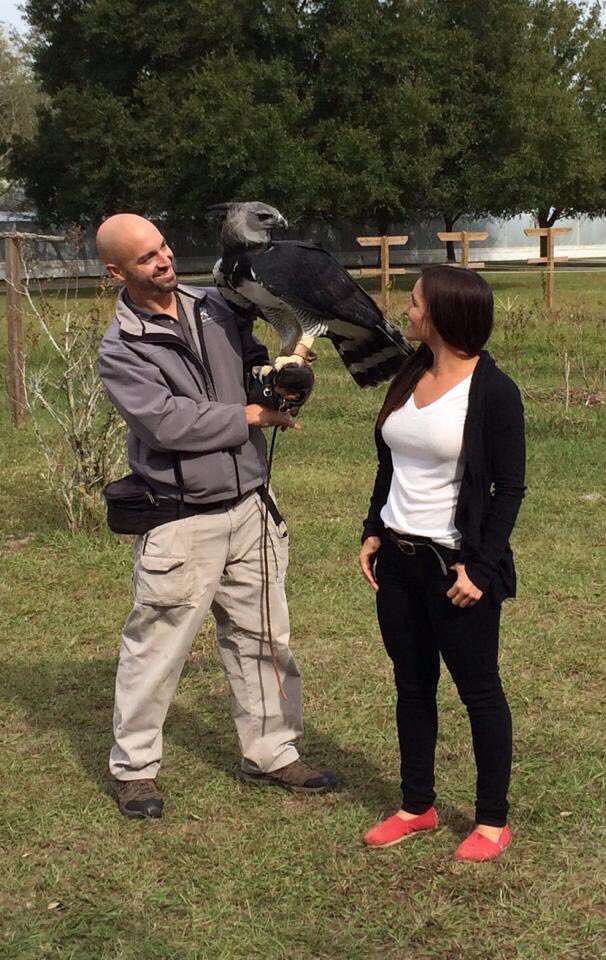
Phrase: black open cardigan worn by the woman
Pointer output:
(492, 486)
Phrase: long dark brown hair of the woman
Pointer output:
(460, 306)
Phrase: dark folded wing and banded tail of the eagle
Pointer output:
(327, 301)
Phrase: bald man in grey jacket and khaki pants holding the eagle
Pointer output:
(175, 362)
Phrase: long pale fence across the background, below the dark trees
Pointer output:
(196, 247)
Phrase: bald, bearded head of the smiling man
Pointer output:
(135, 253)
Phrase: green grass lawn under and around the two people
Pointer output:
(235, 872)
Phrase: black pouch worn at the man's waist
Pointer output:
(133, 507)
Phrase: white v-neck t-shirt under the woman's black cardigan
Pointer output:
(427, 451)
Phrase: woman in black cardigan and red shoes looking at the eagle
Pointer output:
(450, 439)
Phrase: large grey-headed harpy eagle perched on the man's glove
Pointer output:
(304, 293)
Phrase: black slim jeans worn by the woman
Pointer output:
(418, 623)
